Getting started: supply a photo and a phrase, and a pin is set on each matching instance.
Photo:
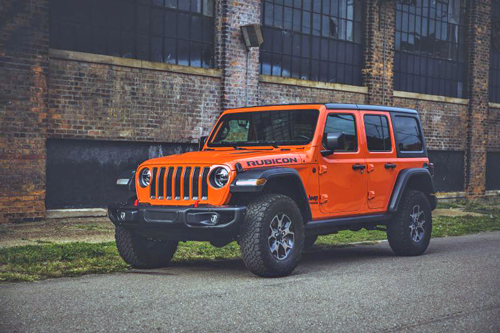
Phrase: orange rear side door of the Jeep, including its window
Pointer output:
(382, 164)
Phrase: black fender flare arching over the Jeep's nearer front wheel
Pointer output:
(247, 179)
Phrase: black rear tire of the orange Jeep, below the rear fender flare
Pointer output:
(401, 237)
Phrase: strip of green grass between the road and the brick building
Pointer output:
(39, 262)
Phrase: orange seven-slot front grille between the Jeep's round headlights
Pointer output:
(179, 183)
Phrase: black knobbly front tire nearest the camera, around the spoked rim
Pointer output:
(255, 233)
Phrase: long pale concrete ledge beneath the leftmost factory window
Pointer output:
(133, 63)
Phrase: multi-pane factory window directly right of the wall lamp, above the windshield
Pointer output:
(318, 40)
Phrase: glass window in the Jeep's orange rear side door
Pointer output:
(377, 133)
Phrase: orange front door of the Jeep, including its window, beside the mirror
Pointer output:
(342, 175)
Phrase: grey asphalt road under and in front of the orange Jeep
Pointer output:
(455, 286)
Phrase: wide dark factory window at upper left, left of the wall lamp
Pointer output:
(172, 31)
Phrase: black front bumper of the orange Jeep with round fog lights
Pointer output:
(177, 218)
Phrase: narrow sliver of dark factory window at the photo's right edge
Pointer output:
(495, 52)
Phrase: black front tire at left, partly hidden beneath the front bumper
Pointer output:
(141, 252)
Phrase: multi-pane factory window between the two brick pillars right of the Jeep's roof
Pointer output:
(430, 47)
